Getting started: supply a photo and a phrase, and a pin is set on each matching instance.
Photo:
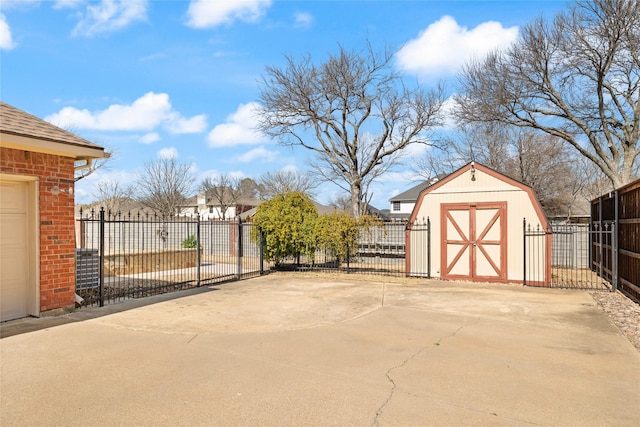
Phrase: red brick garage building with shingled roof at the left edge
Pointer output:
(37, 250)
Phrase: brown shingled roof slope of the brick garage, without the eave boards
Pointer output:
(14, 121)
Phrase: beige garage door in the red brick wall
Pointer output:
(14, 250)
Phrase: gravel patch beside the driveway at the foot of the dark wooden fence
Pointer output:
(624, 312)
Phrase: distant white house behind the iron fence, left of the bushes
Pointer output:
(209, 208)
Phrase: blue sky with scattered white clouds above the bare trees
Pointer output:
(147, 79)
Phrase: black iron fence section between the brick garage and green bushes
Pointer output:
(119, 257)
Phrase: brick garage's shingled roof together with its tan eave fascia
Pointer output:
(22, 130)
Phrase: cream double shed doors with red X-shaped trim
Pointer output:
(474, 241)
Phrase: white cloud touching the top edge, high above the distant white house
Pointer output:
(208, 13)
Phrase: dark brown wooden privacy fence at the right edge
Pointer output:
(622, 209)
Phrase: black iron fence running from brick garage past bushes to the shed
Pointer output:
(125, 256)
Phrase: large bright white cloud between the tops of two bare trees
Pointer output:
(445, 46)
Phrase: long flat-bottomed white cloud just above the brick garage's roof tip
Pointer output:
(144, 114)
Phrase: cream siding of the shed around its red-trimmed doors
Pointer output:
(485, 188)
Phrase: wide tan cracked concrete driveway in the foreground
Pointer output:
(316, 350)
